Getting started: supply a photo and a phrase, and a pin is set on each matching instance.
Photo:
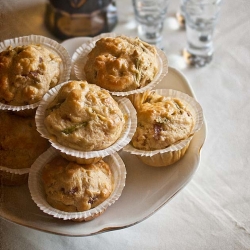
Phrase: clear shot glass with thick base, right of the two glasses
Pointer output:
(201, 17)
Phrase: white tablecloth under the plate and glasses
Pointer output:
(213, 210)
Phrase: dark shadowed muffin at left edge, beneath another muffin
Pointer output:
(20, 145)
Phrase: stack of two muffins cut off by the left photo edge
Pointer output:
(29, 67)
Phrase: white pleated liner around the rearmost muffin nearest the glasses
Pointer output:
(79, 59)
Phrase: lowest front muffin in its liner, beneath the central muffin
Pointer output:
(77, 192)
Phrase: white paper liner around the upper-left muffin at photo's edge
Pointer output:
(48, 43)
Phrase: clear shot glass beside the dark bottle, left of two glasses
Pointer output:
(150, 16)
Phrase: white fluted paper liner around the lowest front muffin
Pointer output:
(39, 197)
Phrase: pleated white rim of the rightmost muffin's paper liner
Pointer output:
(197, 113)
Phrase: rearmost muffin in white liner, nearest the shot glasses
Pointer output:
(122, 65)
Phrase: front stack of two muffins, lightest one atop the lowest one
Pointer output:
(86, 126)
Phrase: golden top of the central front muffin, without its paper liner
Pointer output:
(84, 117)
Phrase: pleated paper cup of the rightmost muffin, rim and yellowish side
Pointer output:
(173, 153)
